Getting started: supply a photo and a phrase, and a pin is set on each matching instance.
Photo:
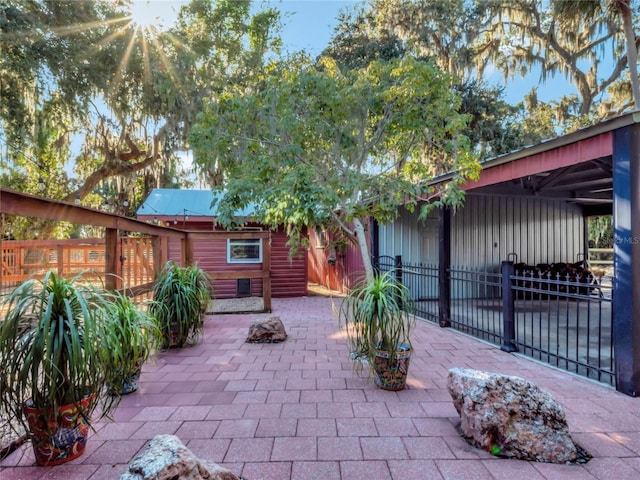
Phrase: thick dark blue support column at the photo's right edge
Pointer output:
(626, 258)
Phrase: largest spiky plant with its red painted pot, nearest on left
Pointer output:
(54, 372)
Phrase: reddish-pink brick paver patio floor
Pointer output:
(296, 410)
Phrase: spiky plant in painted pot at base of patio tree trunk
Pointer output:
(378, 318)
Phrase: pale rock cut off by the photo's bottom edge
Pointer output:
(166, 458)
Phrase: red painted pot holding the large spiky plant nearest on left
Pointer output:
(51, 445)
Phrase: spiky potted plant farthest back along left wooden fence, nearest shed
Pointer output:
(181, 296)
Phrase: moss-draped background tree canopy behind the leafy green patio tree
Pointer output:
(97, 108)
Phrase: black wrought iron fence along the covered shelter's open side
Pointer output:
(562, 320)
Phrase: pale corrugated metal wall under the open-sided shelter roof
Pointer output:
(487, 229)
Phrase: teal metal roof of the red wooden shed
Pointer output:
(171, 201)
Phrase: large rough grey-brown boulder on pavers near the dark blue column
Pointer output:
(510, 417)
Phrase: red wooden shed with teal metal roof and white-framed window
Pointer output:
(195, 211)
